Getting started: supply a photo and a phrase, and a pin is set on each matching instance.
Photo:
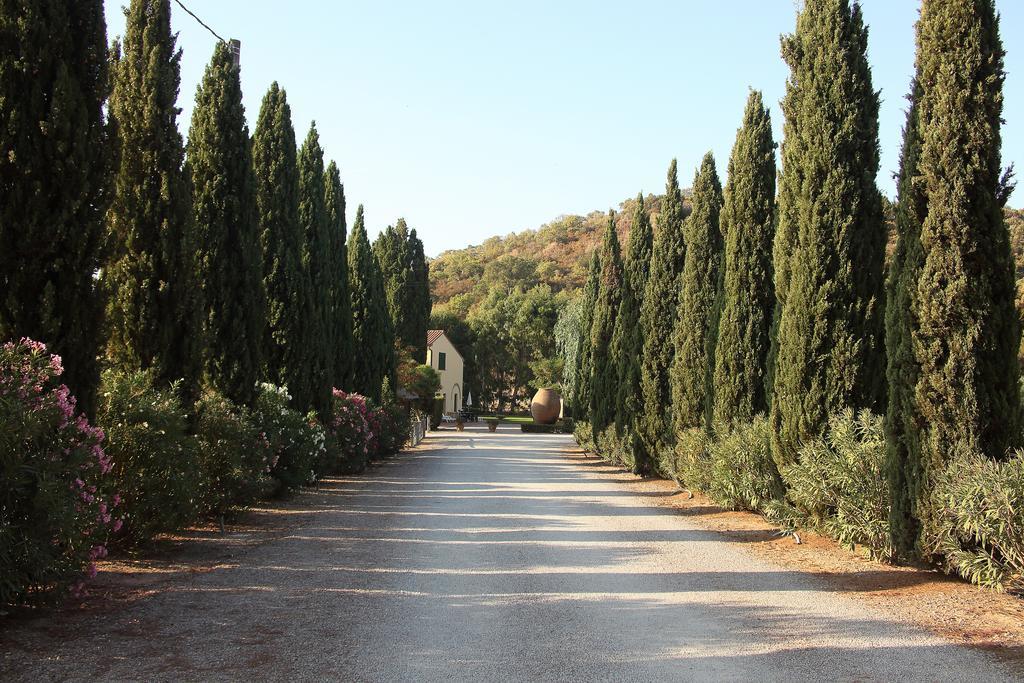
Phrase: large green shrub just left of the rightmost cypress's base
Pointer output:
(838, 487)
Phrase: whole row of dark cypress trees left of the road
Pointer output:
(222, 263)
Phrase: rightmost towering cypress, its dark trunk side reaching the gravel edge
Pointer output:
(953, 329)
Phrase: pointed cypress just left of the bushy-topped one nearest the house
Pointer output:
(373, 338)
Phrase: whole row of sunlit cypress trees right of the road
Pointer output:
(783, 305)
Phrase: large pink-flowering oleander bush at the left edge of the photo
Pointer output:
(55, 515)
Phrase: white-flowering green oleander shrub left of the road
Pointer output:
(297, 443)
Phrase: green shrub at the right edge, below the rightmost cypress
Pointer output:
(980, 531)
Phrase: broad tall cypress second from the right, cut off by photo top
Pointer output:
(830, 247)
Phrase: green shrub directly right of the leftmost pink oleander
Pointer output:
(155, 460)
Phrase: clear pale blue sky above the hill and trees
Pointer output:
(475, 119)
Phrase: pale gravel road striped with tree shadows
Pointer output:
(489, 558)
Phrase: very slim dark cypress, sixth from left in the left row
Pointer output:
(342, 313)
